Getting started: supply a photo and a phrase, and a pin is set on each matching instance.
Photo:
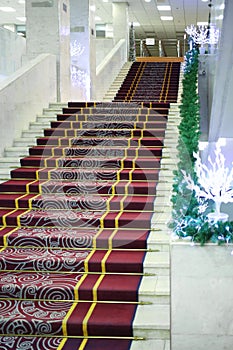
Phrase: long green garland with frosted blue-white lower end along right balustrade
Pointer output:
(188, 219)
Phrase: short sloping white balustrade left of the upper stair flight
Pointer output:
(109, 68)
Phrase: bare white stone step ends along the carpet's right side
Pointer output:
(152, 321)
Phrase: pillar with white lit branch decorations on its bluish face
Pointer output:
(83, 52)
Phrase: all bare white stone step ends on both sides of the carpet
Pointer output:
(152, 319)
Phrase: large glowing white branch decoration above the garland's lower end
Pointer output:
(215, 182)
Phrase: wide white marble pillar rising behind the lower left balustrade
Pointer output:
(48, 29)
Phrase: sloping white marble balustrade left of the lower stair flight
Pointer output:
(24, 95)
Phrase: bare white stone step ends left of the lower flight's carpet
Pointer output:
(19, 149)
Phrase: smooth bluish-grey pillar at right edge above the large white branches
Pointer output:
(221, 121)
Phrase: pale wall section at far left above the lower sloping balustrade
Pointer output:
(12, 49)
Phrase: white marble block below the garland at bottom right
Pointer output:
(201, 297)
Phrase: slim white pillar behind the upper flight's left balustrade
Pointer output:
(121, 23)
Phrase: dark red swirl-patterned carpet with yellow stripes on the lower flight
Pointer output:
(74, 219)
